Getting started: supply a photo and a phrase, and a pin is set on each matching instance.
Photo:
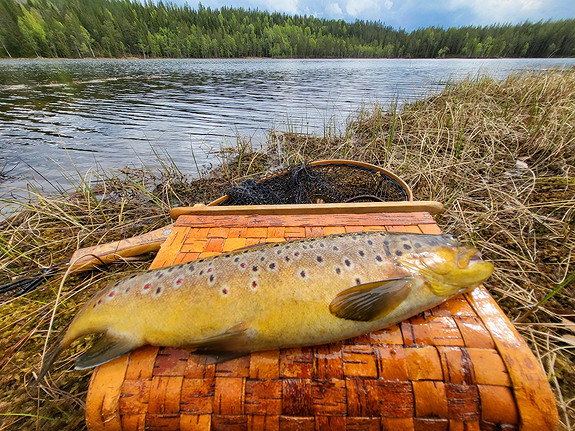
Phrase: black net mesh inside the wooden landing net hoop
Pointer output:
(328, 183)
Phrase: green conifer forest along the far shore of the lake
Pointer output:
(123, 28)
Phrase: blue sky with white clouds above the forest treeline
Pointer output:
(413, 14)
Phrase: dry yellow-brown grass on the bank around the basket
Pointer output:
(500, 155)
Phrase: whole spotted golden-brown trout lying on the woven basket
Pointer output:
(296, 293)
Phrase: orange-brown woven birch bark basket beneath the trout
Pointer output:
(459, 366)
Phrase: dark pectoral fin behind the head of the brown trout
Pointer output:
(371, 301)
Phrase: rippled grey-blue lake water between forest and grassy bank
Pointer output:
(61, 117)
